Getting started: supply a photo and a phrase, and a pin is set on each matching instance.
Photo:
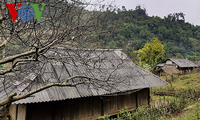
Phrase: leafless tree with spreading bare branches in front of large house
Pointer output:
(26, 44)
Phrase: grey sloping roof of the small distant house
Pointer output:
(183, 62)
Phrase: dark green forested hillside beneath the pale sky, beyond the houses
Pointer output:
(131, 29)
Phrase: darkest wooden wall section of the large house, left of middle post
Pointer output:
(73, 109)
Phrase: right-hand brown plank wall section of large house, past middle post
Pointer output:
(113, 104)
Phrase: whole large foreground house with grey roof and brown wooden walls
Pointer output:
(128, 87)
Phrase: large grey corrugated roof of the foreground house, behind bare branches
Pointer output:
(126, 76)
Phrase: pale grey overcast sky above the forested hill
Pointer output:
(161, 8)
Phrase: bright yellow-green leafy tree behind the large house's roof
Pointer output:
(152, 52)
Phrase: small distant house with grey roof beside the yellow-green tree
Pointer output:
(183, 65)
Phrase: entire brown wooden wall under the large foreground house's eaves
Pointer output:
(81, 108)
